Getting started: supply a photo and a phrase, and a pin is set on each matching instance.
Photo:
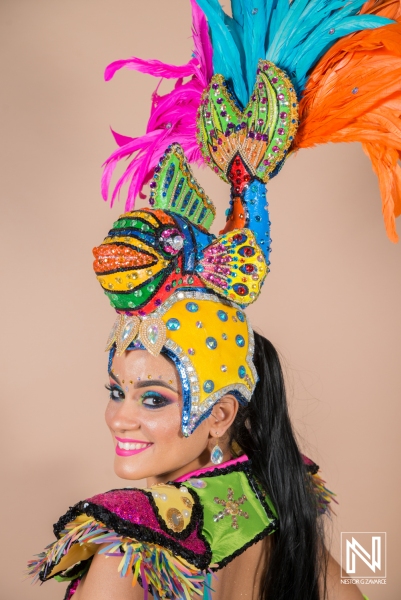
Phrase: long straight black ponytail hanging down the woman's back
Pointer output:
(296, 558)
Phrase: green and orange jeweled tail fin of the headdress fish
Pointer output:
(262, 134)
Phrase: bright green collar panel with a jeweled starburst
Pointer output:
(233, 514)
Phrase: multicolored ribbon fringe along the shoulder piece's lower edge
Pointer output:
(157, 568)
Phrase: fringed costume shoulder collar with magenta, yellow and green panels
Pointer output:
(171, 536)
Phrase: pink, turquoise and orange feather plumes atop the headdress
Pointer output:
(341, 57)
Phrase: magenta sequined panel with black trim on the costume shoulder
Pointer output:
(134, 506)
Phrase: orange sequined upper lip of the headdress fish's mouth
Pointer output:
(109, 257)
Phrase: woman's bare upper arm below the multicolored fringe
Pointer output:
(103, 582)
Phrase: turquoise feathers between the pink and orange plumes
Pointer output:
(292, 35)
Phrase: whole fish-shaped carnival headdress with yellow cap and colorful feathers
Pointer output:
(274, 77)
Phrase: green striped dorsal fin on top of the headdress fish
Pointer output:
(175, 189)
